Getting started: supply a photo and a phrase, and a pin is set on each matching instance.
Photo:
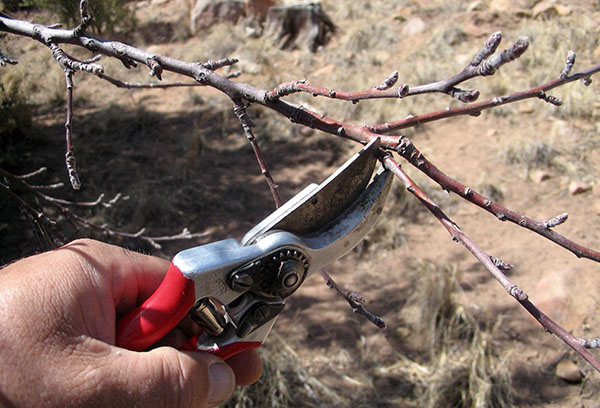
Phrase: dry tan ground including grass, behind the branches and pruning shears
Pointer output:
(181, 158)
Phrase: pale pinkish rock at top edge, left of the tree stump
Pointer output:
(207, 13)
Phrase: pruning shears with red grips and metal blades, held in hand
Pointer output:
(235, 290)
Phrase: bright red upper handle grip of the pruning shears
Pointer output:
(159, 314)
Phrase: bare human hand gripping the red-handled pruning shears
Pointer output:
(58, 313)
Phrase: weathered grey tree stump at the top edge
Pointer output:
(303, 25)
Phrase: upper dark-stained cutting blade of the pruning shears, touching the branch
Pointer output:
(318, 205)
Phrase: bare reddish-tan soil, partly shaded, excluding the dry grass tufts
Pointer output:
(180, 157)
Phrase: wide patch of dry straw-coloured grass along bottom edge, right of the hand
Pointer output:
(457, 363)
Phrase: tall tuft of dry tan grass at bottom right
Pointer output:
(461, 366)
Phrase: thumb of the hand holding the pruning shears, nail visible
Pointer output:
(166, 377)
